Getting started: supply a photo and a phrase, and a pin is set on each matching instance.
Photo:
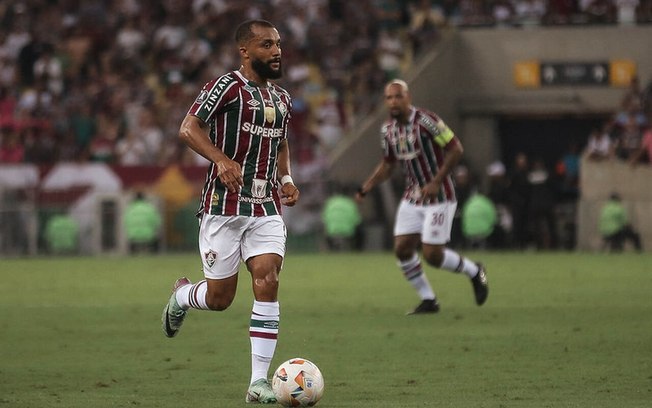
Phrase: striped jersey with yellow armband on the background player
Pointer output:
(419, 146)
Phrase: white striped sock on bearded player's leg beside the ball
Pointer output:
(263, 334)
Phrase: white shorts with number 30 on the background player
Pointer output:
(433, 221)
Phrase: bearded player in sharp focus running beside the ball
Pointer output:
(239, 123)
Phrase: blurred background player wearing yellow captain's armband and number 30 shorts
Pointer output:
(427, 150)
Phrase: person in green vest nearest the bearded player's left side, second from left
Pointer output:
(142, 222)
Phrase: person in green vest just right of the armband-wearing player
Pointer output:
(479, 217)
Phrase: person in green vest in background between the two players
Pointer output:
(342, 219)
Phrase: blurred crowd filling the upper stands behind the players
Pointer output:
(110, 80)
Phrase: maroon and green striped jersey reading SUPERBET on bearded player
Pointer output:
(247, 123)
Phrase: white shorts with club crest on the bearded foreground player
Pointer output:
(225, 240)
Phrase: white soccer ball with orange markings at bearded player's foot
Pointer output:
(298, 383)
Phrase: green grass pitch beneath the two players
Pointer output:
(558, 330)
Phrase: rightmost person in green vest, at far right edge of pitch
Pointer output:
(615, 227)
